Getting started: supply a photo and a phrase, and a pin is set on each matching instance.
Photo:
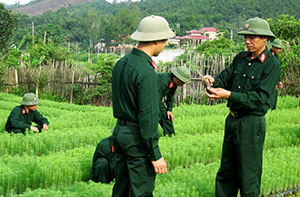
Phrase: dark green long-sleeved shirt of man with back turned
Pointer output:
(136, 97)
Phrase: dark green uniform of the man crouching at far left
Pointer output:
(18, 120)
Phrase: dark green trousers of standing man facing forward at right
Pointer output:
(241, 164)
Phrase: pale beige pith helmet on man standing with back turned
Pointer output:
(152, 28)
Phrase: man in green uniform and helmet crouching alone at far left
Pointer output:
(22, 116)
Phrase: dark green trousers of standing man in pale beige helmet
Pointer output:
(134, 171)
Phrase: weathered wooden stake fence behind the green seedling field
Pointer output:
(60, 78)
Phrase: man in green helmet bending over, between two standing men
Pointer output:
(168, 83)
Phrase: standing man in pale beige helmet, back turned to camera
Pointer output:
(136, 106)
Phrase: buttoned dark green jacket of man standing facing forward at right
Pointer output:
(251, 82)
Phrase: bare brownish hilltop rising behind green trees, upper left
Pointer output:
(41, 7)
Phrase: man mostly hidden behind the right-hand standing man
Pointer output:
(275, 50)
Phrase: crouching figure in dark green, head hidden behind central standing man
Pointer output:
(103, 162)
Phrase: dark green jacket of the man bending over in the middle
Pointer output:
(167, 88)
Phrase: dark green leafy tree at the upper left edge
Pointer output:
(8, 23)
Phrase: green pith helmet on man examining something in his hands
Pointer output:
(256, 26)
